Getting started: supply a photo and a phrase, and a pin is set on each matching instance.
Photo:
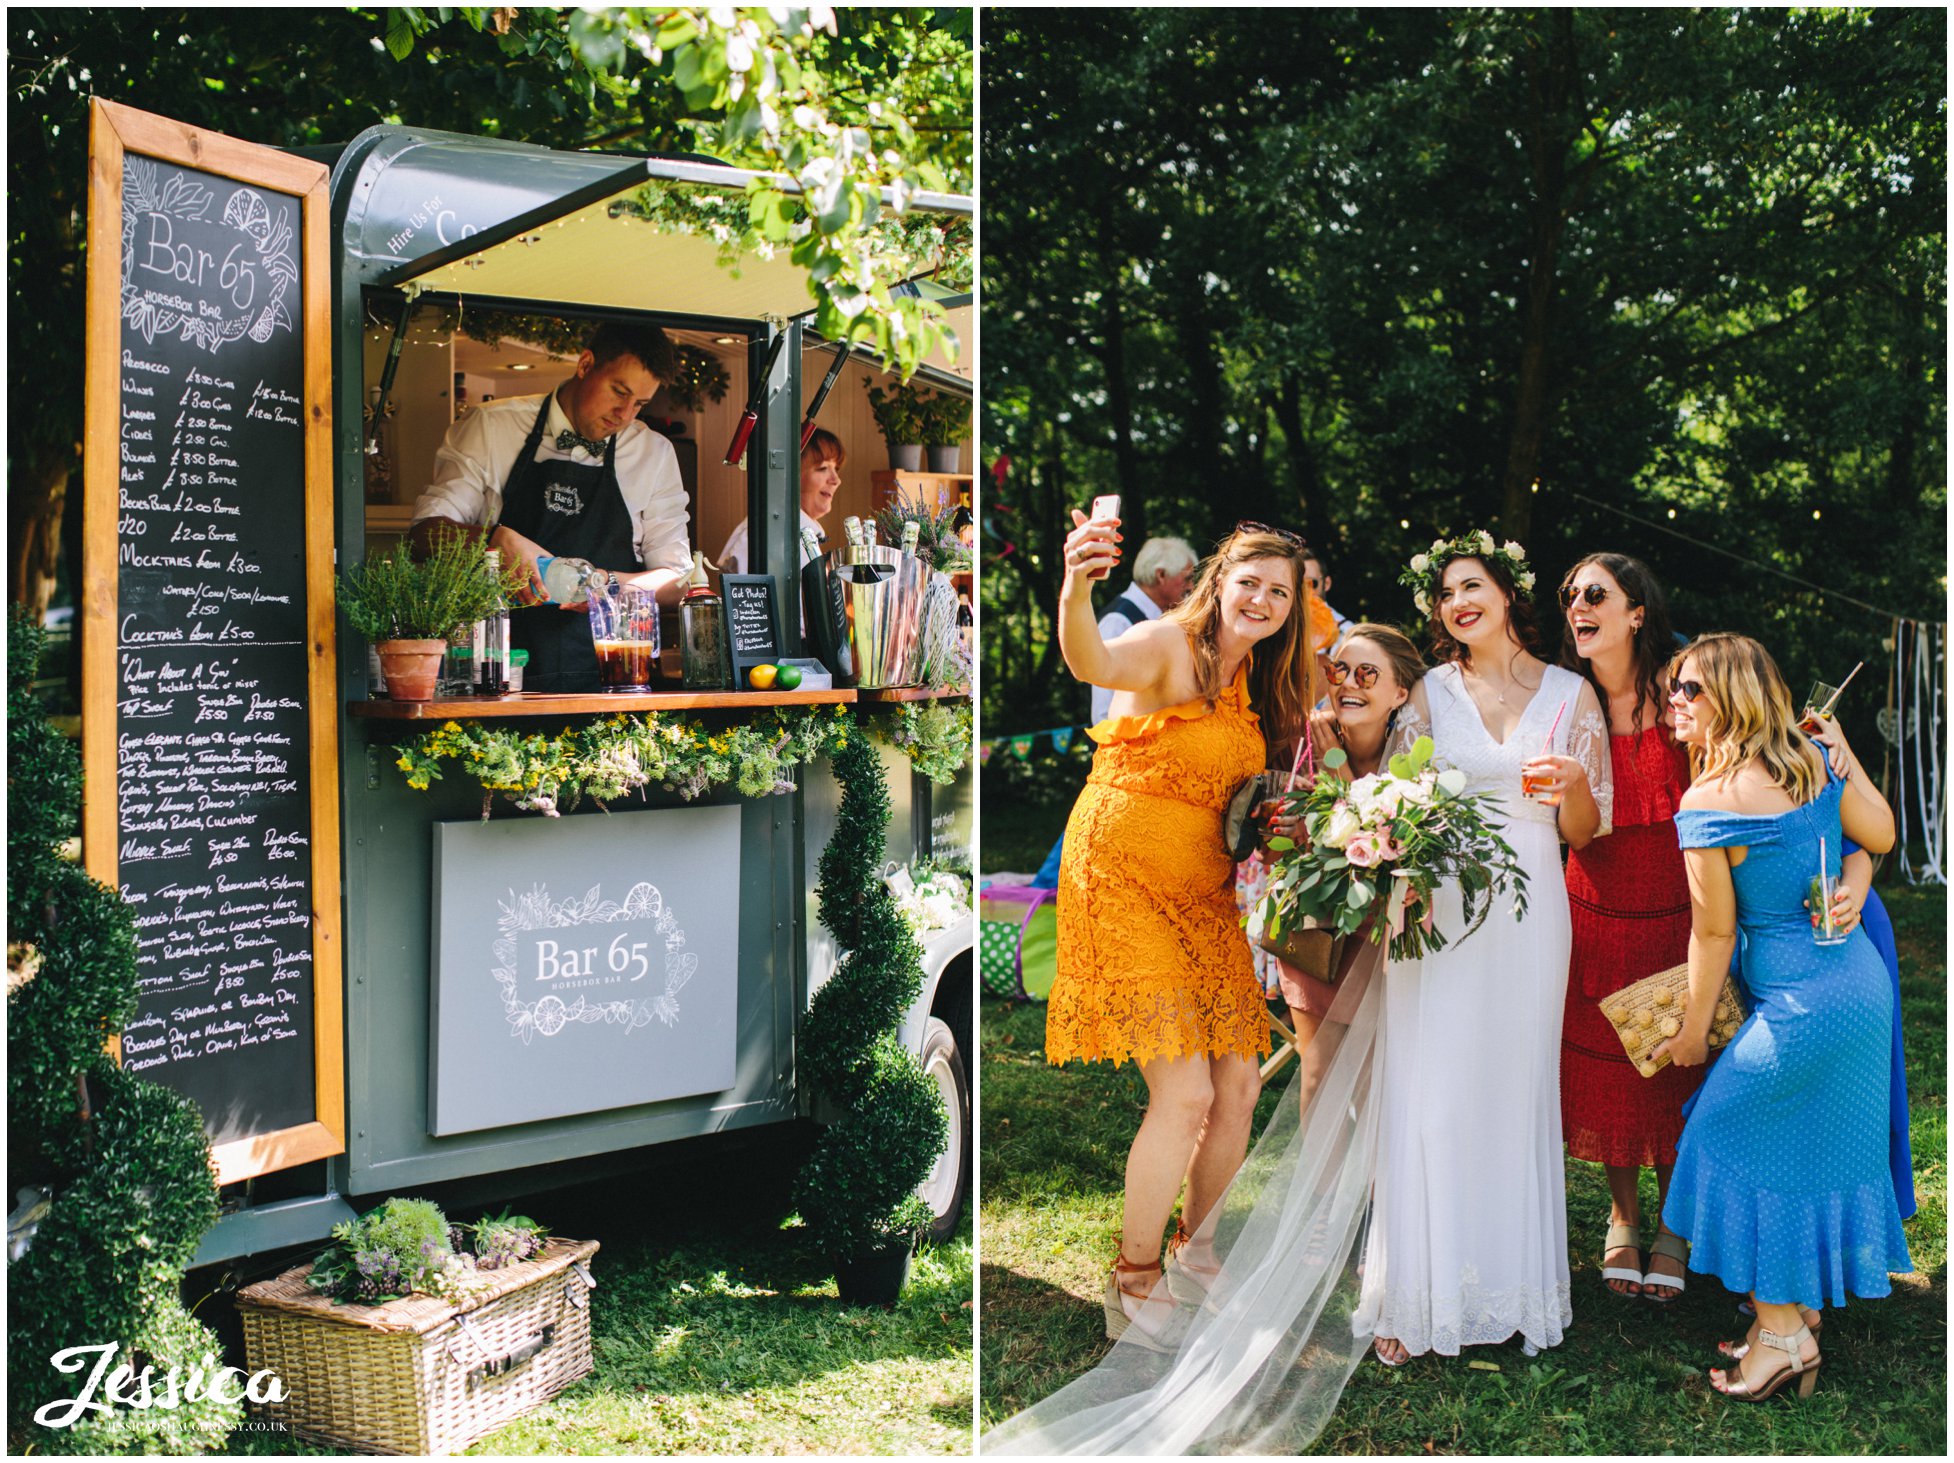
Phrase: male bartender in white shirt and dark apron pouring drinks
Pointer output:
(572, 476)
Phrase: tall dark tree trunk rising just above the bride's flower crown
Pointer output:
(1550, 81)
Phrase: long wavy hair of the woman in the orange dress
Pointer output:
(1283, 671)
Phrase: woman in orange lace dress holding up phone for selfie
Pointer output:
(1154, 964)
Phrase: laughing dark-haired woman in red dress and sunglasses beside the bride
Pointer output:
(1631, 907)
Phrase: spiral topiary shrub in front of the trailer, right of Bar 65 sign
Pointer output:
(859, 1189)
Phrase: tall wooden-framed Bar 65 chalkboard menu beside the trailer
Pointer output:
(208, 673)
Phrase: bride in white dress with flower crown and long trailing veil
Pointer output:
(1435, 1124)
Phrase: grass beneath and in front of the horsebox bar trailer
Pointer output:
(718, 1331)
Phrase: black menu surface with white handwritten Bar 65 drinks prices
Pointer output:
(212, 749)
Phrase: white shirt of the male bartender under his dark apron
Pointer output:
(480, 452)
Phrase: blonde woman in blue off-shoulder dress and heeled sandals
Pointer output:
(1781, 1185)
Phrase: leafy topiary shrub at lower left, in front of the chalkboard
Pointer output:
(124, 1163)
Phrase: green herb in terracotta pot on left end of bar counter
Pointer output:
(409, 608)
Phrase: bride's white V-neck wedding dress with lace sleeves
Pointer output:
(1468, 1243)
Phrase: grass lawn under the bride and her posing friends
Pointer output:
(1629, 1378)
